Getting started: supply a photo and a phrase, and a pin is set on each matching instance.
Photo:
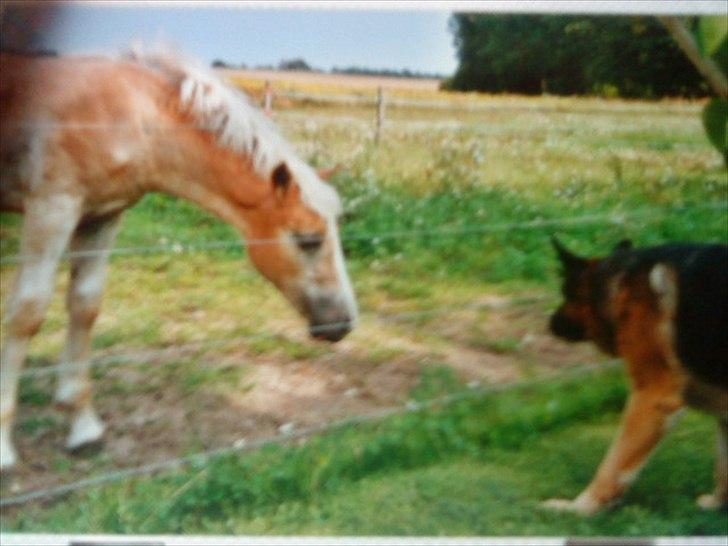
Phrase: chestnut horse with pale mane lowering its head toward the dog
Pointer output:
(84, 138)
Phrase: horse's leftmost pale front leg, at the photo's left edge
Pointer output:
(47, 227)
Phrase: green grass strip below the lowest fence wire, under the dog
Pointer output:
(476, 467)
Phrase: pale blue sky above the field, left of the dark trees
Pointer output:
(415, 40)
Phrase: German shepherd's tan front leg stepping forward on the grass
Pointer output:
(646, 419)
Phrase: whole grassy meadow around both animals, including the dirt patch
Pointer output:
(446, 231)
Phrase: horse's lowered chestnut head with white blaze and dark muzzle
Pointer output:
(294, 242)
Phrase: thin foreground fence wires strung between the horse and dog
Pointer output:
(170, 353)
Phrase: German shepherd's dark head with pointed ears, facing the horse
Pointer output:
(581, 316)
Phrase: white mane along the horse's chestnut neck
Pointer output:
(235, 121)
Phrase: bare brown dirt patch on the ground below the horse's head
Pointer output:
(152, 416)
